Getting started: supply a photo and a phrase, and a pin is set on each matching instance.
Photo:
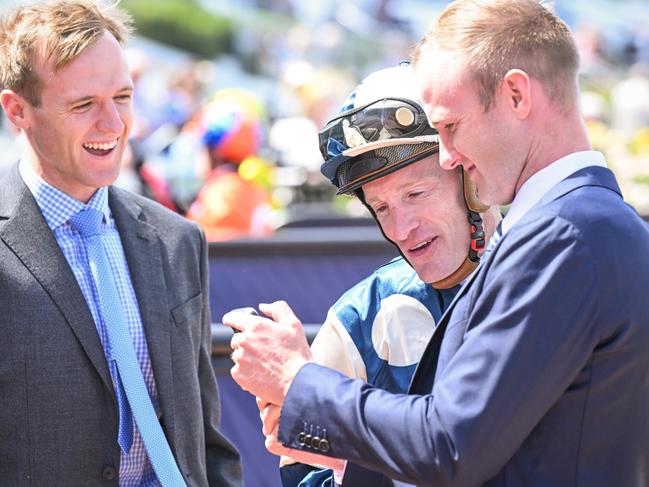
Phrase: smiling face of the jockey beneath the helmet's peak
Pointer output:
(420, 209)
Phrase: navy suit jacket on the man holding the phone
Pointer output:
(537, 375)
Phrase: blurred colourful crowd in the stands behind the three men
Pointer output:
(232, 142)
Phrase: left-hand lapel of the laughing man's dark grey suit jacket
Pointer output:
(26, 233)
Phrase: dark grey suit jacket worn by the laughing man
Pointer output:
(58, 414)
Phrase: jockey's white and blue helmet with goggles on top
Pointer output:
(381, 127)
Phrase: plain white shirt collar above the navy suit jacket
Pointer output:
(543, 181)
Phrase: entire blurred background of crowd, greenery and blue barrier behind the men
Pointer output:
(229, 98)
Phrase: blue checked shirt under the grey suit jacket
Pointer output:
(57, 208)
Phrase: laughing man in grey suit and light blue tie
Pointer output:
(105, 371)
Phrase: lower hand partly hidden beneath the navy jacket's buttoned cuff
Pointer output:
(270, 414)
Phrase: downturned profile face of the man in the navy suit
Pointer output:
(488, 144)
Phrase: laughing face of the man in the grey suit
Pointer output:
(79, 131)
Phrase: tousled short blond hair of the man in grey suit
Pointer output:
(62, 28)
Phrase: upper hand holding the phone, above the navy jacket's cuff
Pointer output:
(268, 353)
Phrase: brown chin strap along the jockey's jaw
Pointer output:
(474, 207)
